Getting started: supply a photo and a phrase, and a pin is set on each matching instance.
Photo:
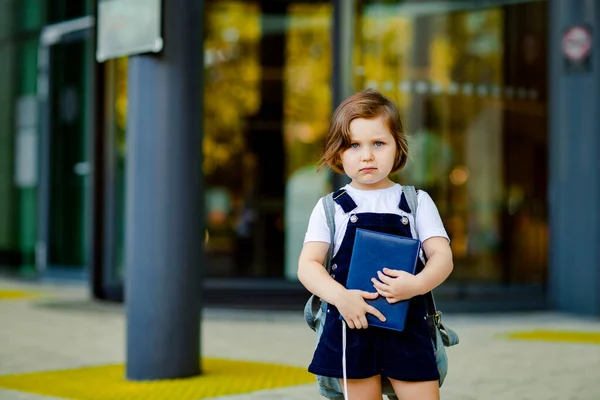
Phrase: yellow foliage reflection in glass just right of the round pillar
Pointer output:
(231, 79)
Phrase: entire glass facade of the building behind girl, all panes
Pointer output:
(470, 80)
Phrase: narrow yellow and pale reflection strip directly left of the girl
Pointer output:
(306, 120)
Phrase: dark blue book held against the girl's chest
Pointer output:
(372, 252)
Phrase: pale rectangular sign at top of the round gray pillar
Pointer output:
(127, 27)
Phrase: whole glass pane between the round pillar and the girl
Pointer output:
(267, 105)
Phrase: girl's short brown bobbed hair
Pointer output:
(367, 104)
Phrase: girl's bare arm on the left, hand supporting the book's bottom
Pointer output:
(314, 277)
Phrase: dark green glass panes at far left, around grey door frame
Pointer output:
(22, 143)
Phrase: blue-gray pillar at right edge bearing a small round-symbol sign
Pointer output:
(574, 276)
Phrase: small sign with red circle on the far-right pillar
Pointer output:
(576, 46)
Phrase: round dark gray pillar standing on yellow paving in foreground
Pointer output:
(164, 201)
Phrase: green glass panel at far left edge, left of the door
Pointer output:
(20, 22)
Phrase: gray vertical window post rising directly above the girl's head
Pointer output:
(342, 77)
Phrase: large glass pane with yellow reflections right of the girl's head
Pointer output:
(471, 84)
